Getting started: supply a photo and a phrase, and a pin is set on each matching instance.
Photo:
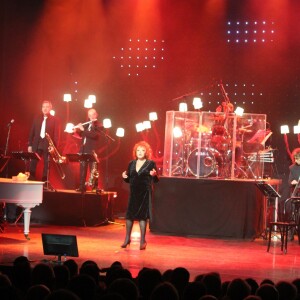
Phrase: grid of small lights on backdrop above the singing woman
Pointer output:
(141, 55)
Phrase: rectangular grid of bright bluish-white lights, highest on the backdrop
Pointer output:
(246, 32)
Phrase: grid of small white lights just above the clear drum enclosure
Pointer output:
(238, 93)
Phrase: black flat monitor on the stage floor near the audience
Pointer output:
(60, 245)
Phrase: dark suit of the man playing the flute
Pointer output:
(90, 139)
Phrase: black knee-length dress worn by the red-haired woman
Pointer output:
(141, 185)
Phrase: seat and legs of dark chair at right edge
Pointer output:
(283, 228)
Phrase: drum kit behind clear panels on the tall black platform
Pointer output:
(210, 155)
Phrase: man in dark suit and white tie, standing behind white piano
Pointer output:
(42, 124)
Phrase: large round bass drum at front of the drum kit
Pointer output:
(207, 160)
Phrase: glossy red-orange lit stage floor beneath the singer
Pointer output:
(231, 257)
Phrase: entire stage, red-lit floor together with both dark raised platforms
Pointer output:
(193, 219)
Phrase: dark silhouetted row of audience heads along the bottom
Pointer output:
(68, 281)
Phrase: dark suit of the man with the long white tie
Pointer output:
(40, 145)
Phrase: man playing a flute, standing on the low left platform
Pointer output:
(90, 136)
